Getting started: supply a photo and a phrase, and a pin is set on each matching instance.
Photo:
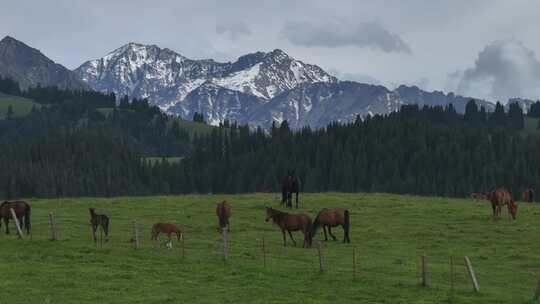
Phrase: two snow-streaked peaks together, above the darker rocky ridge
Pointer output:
(166, 78)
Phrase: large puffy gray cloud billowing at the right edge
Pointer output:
(503, 69)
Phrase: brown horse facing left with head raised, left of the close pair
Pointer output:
(291, 222)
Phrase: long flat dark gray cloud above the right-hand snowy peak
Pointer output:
(338, 34)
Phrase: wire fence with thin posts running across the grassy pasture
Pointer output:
(266, 251)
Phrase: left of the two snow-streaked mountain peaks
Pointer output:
(147, 71)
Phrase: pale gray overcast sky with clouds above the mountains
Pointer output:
(483, 48)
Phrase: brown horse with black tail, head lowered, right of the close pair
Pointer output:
(334, 217)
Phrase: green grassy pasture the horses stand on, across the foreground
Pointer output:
(389, 233)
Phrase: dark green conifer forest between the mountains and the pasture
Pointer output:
(83, 143)
